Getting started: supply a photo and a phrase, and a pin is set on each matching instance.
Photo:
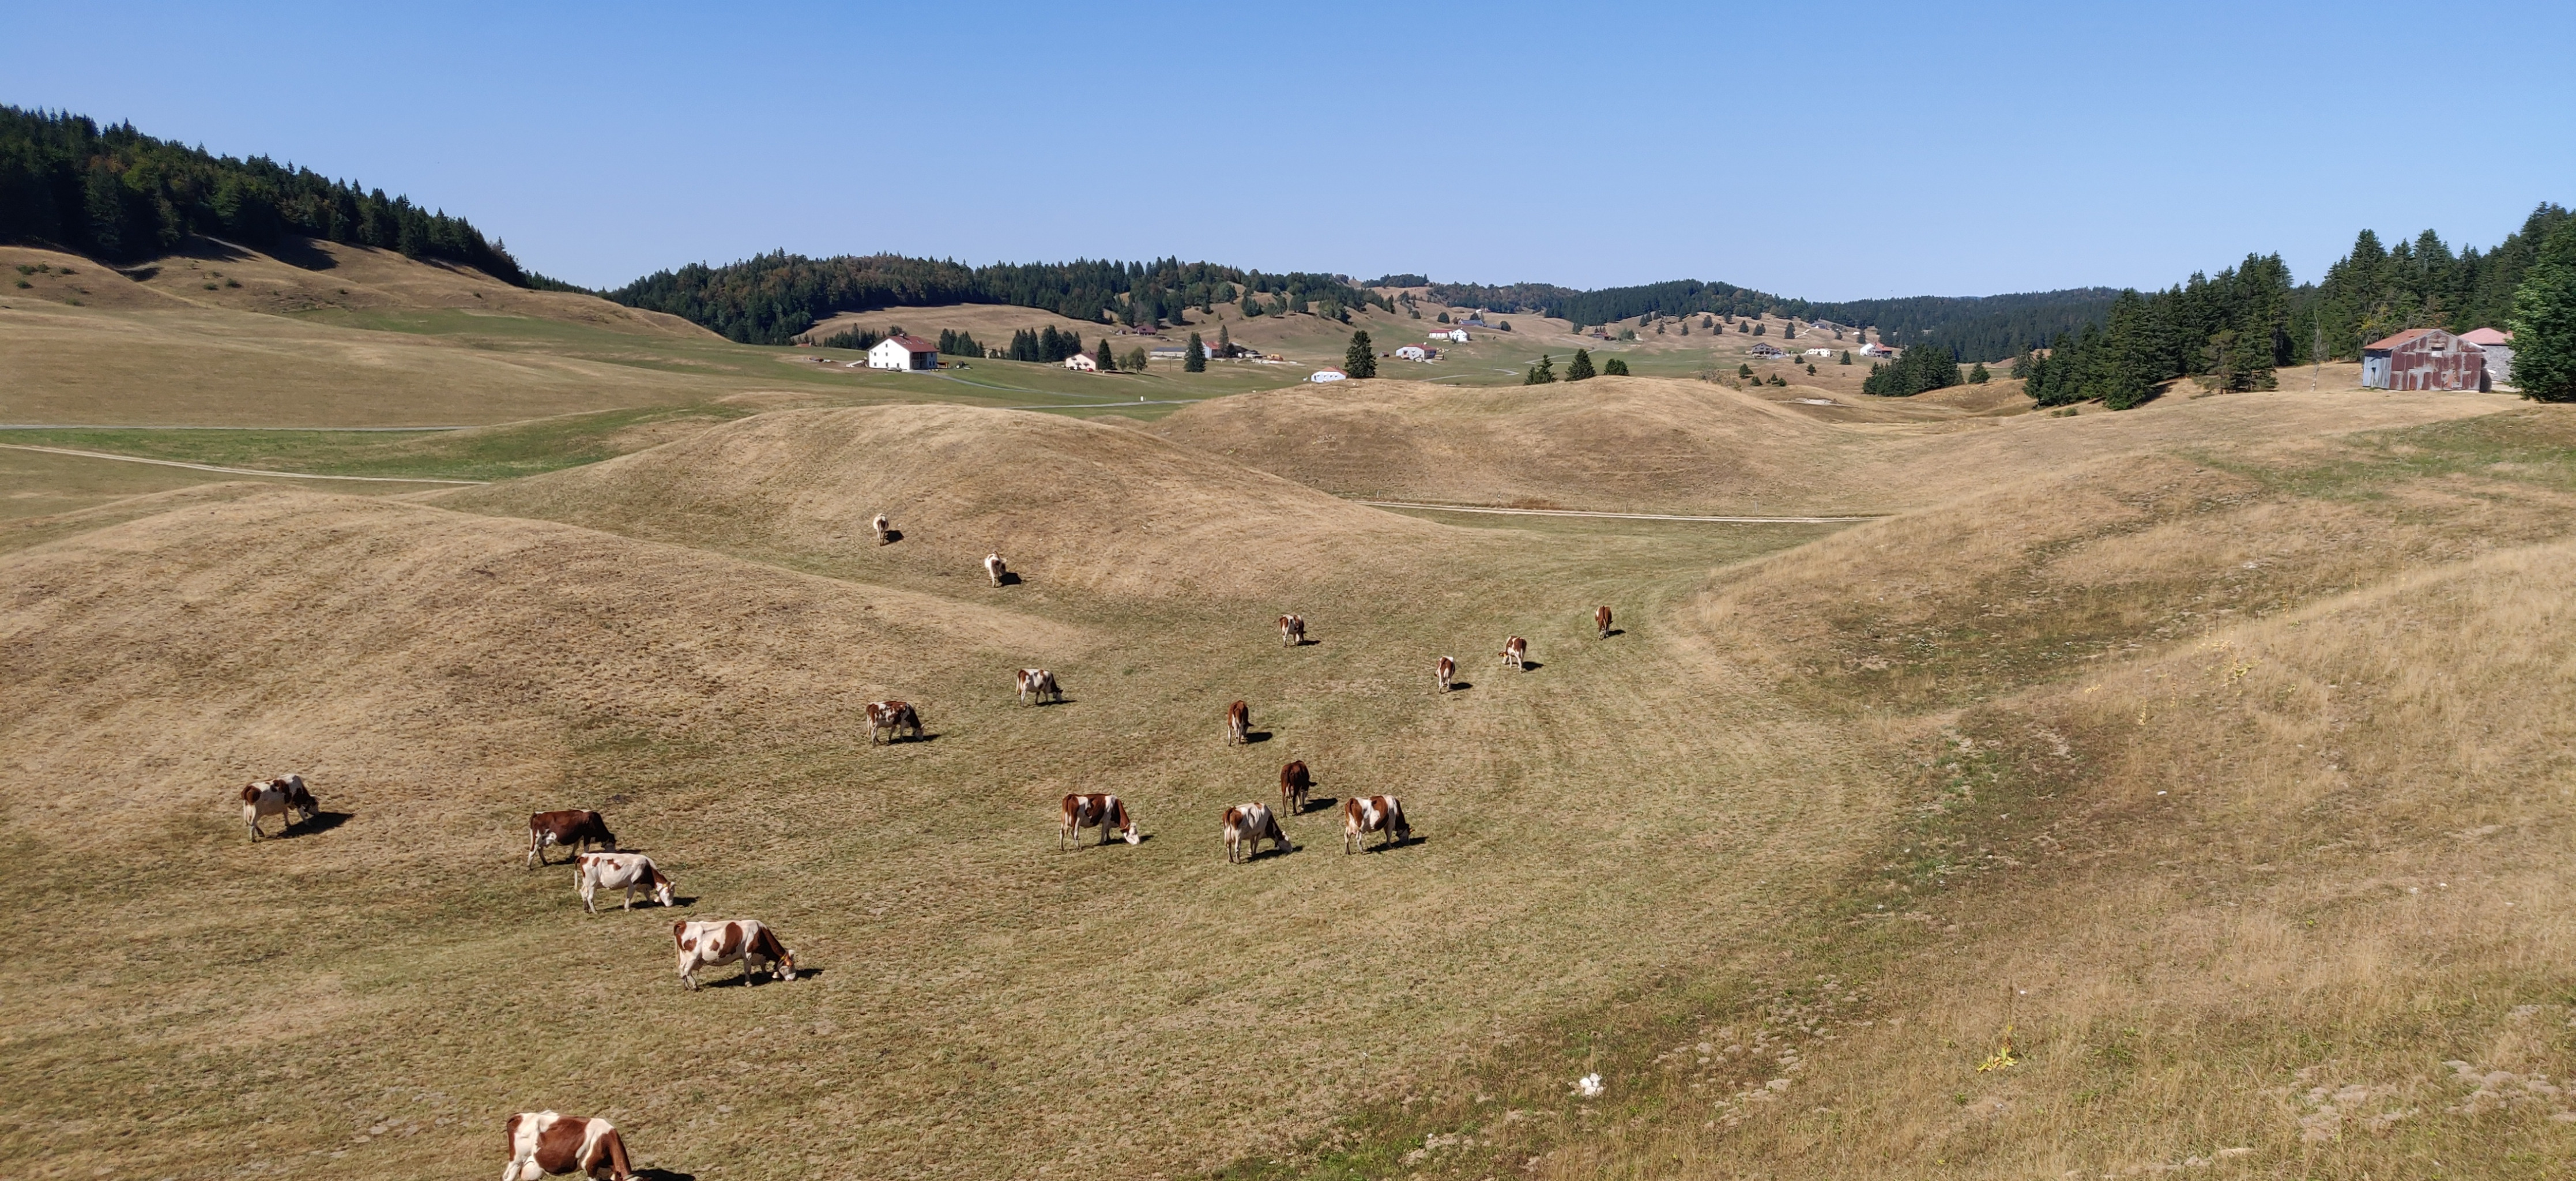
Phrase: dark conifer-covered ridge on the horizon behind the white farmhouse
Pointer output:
(774, 298)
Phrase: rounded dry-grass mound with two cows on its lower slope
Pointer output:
(1063, 502)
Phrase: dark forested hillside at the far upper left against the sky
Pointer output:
(125, 197)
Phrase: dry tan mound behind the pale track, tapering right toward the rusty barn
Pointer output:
(1701, 447)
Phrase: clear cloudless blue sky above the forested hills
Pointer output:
(1830, 153)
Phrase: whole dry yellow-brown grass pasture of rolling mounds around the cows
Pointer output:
(2217, 749)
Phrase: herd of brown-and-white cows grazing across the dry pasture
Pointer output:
(555, 1144)
